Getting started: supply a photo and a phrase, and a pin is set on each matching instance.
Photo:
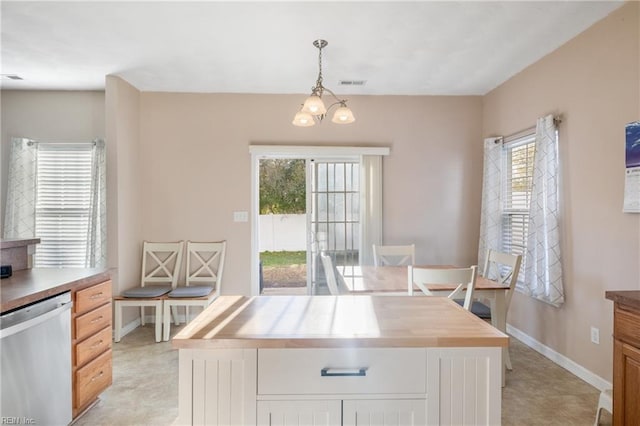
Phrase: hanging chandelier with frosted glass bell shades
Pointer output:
(313, 108)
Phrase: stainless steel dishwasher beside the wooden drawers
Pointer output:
(35, 343)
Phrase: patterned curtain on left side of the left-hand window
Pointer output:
(20, 207)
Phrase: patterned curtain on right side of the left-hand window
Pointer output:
(97, 233)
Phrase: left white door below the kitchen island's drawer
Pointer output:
(299, 413)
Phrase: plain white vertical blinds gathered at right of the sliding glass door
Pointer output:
(370, 206)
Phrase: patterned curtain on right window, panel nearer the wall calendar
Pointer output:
(543, 269)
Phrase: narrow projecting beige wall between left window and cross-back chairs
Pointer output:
(124, 218)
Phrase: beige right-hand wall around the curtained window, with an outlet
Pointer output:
(593, 82)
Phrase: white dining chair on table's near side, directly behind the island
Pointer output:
(464, 278)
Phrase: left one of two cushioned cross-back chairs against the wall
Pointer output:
(161, 264)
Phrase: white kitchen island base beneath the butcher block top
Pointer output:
(340, 387)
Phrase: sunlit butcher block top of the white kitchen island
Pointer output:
(336, 322)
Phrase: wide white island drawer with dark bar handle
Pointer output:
(342, 371)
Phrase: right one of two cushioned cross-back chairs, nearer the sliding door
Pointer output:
(203, 282)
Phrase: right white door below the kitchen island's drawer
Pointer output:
(401, 412)
